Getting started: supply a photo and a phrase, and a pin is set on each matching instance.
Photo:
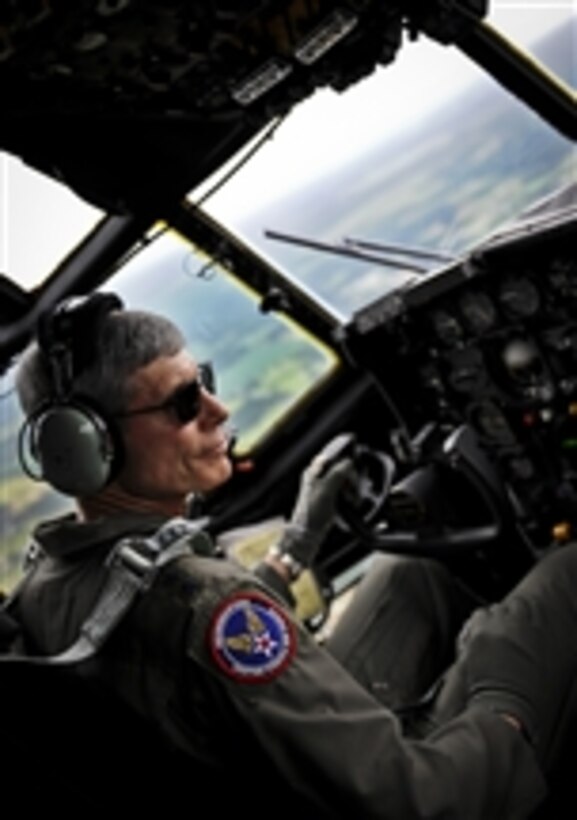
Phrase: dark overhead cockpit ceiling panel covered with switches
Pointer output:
(113, 83)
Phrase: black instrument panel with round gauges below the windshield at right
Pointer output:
(491, 342)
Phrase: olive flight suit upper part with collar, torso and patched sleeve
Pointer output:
(212, 656)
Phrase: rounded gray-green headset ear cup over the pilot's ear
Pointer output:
(76, 449)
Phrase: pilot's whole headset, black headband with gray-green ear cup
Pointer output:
(71, 442)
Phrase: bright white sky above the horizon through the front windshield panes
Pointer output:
(328, 124)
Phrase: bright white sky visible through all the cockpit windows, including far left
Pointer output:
(321, 132)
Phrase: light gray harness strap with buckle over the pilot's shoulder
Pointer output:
(133, 564)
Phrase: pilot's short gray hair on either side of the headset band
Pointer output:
(126, 340)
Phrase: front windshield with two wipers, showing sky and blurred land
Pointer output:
(428, 153)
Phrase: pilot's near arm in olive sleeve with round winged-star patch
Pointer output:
(330, 740)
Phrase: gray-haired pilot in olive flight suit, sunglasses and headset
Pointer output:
(211, 653)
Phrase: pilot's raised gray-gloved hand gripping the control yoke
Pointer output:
(313, 515)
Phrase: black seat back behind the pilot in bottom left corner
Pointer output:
(69, 746)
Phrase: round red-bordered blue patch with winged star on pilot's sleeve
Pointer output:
(251, 639)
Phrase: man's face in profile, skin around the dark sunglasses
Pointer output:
(166, 459)
